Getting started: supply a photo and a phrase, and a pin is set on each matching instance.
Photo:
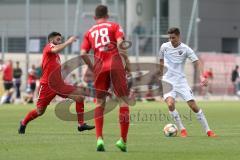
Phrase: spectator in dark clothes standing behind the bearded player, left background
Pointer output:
(17, 74)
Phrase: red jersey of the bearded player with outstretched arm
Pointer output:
(50, 62)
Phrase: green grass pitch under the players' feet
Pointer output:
(50, 138)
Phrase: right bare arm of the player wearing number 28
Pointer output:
(124, 54)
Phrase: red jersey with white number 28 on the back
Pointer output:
(102, 38)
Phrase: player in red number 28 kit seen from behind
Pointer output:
(104, 38)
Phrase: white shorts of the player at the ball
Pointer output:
(182, 90)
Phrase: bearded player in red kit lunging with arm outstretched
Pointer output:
(51, 64)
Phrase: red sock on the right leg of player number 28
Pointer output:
(124, 121)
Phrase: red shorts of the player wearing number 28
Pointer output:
(115, 78)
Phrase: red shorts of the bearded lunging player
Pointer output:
(46, 94)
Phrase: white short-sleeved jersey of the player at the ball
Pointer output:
(174, 60)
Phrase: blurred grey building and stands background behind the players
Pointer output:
(210, 28)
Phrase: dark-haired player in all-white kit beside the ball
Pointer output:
(173, 56)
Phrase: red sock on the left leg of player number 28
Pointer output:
(98, 116)
